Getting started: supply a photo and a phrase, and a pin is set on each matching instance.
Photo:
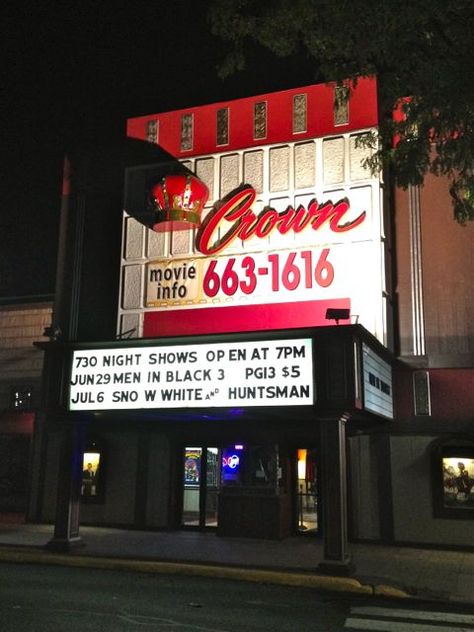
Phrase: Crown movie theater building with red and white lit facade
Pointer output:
(292, 351)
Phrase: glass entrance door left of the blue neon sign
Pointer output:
(201, 482)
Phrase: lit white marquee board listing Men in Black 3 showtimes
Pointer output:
(263, 373)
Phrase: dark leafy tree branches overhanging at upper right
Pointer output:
(417, 49)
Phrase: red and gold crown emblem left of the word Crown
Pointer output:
(178, 201)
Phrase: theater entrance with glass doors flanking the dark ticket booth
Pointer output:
(244, 490)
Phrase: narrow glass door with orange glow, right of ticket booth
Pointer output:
(307, 491)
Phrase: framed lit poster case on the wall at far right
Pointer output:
(454, 481)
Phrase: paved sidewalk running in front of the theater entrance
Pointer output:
(389, 570)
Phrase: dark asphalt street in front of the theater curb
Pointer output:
(41, 597)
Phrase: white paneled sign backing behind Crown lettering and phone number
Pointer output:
(347, 236)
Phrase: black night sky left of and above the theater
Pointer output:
(86, 66)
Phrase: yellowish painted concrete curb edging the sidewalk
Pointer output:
(320, 582)
